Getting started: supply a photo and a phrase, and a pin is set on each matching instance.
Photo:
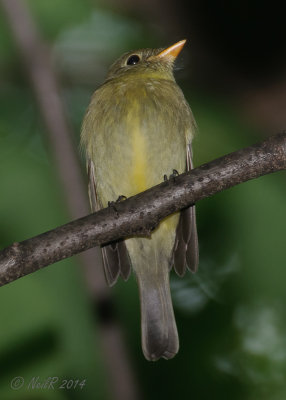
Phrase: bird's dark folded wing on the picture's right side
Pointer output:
(186, 248)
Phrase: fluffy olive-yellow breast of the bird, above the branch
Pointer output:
(144, 141)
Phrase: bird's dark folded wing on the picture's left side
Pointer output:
(115, 256)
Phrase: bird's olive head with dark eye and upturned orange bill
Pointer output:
(149, 63)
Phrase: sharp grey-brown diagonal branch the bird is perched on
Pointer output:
(139, 215)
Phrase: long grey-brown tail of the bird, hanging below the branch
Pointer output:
(158, 325)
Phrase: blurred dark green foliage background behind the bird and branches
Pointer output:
(230, 315)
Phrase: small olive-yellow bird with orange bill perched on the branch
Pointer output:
(137, 129)
